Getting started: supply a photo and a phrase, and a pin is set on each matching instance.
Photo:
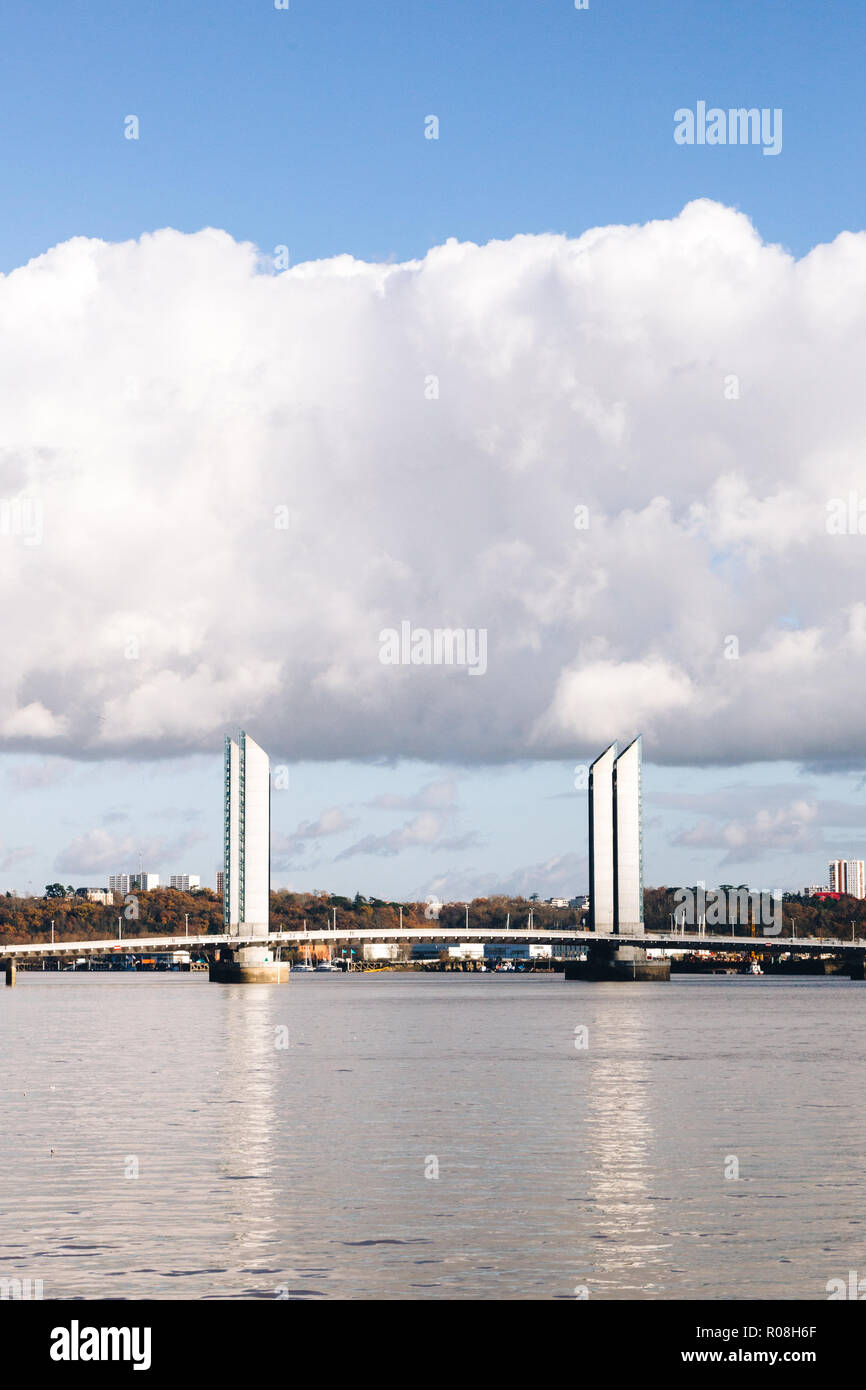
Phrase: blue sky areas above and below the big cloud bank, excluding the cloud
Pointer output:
(307, 129)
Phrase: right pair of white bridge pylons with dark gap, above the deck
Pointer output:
(616, 857)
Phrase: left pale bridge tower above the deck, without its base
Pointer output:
(247, 874)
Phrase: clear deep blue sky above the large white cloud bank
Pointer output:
(305, 127)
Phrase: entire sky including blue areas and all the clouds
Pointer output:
(327, 322)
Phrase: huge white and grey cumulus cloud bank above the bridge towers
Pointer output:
(243, 479)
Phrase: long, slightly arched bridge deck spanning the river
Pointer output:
(671, 942)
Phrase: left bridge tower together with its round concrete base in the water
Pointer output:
(247, 868)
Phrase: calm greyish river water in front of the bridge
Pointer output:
(430, 1138)
